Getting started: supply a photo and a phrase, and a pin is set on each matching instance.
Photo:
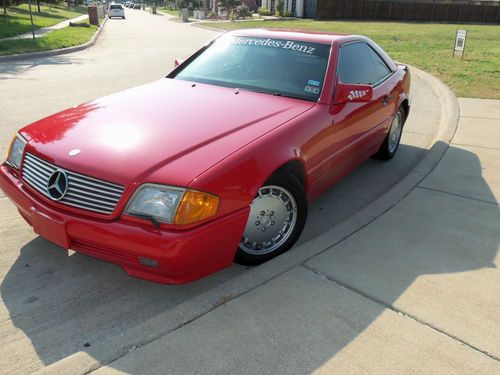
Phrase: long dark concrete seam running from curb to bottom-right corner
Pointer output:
(398, 311)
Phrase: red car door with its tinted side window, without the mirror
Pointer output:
(357, 128)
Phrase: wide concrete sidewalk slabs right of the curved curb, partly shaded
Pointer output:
(415, 291)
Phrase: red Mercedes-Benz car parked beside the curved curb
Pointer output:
(215, 163)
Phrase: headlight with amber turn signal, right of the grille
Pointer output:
(172, 205)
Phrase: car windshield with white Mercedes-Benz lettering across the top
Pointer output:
(274, 66)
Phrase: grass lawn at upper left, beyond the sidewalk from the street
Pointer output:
(17, 20)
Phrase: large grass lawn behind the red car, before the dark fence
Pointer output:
(427, 46)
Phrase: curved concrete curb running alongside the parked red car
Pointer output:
(186, 312)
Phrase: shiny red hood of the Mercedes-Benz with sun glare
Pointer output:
(127, 136)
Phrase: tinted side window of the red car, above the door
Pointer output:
(360, 64)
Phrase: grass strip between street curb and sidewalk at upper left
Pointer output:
(67, 37)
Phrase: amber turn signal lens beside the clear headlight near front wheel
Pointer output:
(195, 206)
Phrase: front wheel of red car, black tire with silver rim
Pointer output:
(276, 220)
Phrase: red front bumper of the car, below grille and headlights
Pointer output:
(174, 257)
